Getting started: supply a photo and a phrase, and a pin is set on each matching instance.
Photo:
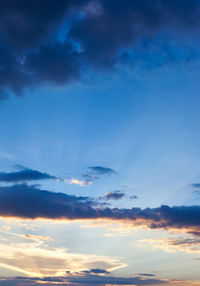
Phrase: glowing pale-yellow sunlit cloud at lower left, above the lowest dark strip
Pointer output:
(35, 258)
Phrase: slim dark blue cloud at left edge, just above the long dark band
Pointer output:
(24, 175)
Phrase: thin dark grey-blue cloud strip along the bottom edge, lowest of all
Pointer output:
(86, 279)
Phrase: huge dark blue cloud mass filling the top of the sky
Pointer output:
(35, 49)
